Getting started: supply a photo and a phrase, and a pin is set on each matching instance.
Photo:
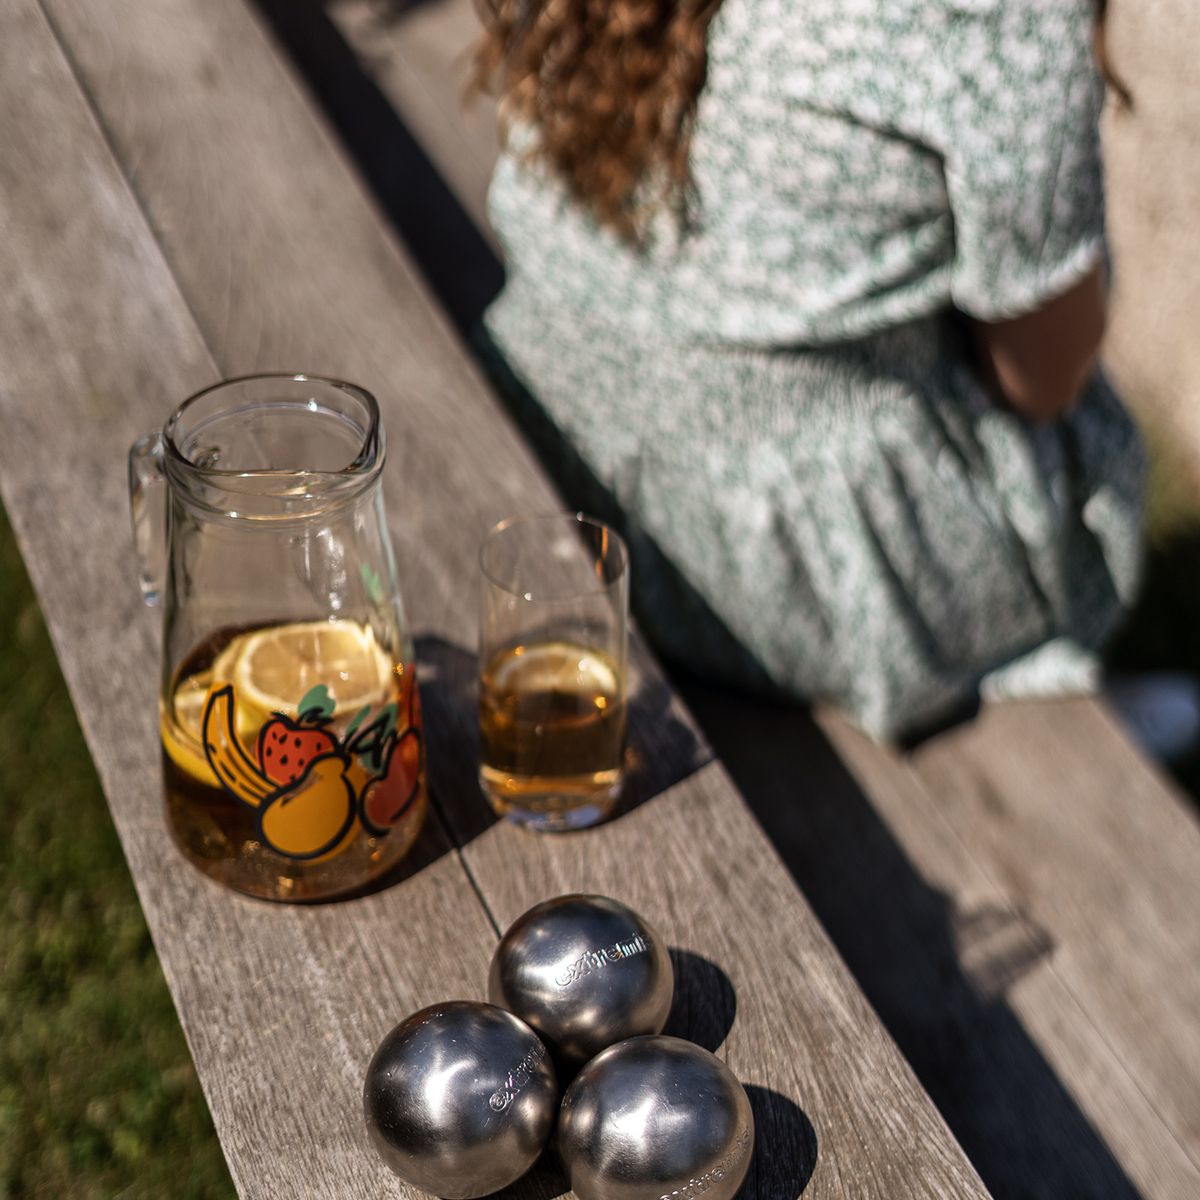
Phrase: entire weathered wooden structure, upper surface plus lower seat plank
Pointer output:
(172, 211)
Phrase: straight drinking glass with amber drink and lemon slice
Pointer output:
(553, 670)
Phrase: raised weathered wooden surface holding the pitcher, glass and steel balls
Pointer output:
(173, 211)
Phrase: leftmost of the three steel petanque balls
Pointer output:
(460, 1100)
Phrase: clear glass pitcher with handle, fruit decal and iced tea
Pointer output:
(292, 749)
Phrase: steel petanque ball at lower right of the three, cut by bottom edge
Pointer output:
(656, 1119)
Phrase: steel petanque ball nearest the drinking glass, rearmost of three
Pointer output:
(585, 973)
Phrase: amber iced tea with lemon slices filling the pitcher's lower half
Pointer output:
(284, 787)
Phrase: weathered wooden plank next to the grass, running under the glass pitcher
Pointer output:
(281, 1007)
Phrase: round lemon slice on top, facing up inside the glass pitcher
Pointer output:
(278, 665)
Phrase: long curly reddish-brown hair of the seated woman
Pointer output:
(611, 88)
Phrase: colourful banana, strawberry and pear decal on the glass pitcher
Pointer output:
(313, 789)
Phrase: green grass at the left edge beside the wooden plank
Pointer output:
(98, 1094)
